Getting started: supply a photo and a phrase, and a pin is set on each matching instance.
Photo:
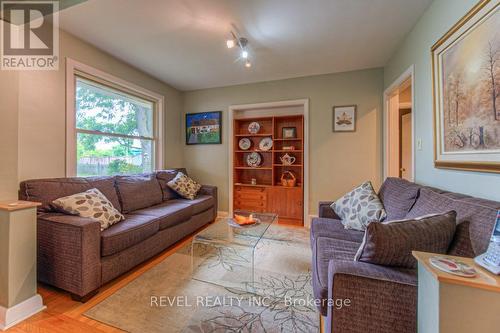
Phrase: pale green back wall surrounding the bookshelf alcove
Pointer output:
(338, 161)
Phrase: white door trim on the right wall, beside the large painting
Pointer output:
(407, 74)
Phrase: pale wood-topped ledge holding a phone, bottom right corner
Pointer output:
(449, 303)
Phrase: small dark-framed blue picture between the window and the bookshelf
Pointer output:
(204, 128)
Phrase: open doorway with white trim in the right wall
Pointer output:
(399, 128)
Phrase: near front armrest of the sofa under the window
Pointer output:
(69, 252)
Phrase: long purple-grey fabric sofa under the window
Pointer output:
(73, 253)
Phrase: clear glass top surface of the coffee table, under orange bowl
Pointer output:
(222, 232)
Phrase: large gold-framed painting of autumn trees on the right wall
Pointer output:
(466, 84)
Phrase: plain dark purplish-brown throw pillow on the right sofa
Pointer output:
(391, 243)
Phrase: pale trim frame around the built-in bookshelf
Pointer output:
(304, 103)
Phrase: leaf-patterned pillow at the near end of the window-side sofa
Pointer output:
(92, 204)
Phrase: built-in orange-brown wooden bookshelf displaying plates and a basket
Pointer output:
(259, 188)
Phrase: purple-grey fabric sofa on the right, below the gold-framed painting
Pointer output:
(384, 299)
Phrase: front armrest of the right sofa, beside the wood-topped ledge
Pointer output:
(381, 299)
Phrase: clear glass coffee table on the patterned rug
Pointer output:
(224, 254)
